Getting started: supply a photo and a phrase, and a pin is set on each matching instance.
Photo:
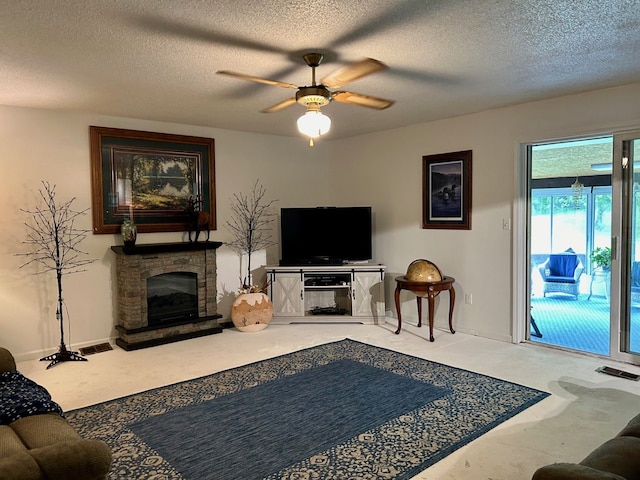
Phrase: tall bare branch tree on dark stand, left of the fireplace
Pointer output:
(54, 241)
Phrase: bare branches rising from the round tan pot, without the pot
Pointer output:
(250, 225)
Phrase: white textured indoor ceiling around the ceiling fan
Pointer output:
(156, 59)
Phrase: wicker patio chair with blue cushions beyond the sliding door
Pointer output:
(561, 273)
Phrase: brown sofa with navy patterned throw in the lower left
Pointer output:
(41, 445)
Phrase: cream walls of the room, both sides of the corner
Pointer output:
(383, 170)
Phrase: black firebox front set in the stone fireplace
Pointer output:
(172, 297)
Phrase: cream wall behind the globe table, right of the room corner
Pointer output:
(385, 170)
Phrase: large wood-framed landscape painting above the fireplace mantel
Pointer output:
(150, 176)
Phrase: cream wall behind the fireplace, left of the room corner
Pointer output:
(53, 146)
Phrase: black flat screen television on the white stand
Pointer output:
(325, 235)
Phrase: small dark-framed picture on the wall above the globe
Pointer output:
(446, 190)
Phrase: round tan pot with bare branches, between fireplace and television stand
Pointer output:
(250, 225)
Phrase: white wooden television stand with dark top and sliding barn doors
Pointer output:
(327, 293)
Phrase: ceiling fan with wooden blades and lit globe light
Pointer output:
(313, 123)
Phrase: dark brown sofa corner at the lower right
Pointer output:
(616, 459)
